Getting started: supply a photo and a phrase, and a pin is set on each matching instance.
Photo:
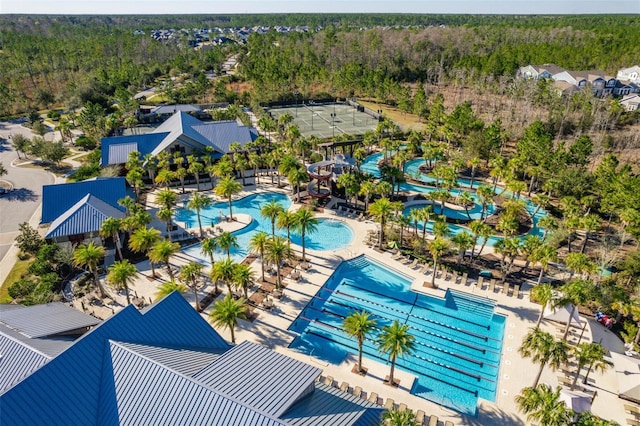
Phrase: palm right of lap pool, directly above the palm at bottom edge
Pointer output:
(544, 349)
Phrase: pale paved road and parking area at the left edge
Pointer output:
(20, 204)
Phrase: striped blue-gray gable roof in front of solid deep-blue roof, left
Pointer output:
(85, 216)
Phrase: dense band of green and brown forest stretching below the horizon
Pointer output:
(68, 61)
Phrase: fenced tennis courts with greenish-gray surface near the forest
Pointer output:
(319, 119)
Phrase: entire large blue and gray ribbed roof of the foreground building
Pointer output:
(167, 365)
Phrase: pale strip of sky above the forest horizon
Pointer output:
(173, 7)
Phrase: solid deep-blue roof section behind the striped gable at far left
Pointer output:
(58, 198)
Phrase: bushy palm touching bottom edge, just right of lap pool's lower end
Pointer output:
(542, 404)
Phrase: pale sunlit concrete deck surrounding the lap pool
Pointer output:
(270, 329)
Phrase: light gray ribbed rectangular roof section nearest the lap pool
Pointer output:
(267, 381)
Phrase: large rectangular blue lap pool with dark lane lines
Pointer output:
(456, 358)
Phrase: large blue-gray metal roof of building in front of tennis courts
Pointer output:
(180, 133)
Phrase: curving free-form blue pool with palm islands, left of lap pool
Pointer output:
(330, 234)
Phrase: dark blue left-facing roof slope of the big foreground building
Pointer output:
(80, 373)
